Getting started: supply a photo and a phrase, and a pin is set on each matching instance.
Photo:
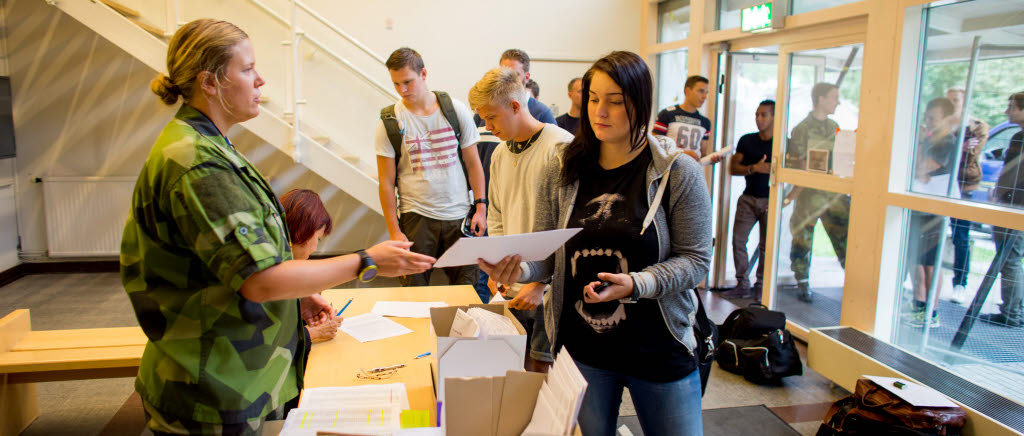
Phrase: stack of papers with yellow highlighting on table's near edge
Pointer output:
(368, 410)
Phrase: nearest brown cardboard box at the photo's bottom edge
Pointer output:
(492, 406)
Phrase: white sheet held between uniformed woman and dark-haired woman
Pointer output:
(536, 246)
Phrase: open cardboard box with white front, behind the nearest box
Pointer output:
(474, 357)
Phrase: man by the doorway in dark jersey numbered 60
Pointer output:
(685, 124)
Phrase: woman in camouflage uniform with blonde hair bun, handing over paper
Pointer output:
(205, 254)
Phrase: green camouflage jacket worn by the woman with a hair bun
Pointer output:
(203, 220)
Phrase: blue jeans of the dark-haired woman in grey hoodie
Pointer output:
(664, 409)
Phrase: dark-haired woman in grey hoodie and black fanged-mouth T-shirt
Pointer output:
(646, 216)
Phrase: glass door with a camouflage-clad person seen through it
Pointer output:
(817, 118)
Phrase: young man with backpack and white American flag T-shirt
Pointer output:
(432, 171)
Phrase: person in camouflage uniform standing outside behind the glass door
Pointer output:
(818, 132)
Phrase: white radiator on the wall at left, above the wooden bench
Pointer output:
(87, 215)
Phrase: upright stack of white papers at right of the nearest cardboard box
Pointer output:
(561, 398)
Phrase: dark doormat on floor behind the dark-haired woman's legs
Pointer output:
(751, 420)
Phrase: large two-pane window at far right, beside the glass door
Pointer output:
(957, 298)
